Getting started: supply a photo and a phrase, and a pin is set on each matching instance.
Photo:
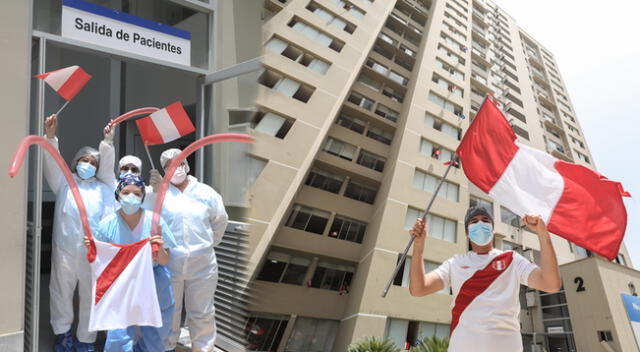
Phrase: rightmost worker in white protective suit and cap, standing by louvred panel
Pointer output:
(196, 215)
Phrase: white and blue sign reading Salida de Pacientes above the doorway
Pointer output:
(117, 30)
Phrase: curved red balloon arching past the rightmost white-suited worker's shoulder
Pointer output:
(177, 161)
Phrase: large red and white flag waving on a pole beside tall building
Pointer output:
(575, 202)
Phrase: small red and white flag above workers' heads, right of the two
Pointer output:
(165, 125)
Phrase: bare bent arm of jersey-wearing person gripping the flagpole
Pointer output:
(421, 284)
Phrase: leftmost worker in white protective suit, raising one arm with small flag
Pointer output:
(69, 265)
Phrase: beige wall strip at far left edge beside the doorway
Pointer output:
(15, 41)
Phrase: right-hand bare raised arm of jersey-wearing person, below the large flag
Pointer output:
(547, 276)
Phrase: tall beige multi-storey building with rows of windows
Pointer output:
(360, 104)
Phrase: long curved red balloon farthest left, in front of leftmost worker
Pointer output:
(17, 161)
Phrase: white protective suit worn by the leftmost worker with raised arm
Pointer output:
(69, 265)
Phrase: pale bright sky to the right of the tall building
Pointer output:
(596, 45)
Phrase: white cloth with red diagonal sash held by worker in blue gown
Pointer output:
(124, 287)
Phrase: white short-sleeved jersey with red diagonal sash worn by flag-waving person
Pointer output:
(485, 308)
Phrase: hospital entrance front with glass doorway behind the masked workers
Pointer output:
(223, 33)
